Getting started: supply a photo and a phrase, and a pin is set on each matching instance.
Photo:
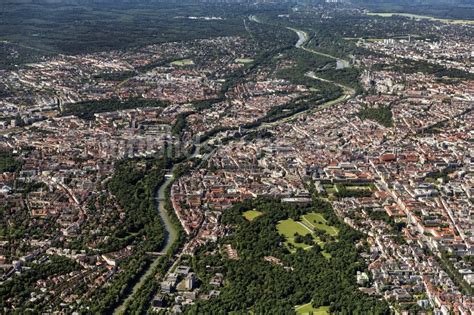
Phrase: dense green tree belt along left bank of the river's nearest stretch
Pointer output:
(134, 185)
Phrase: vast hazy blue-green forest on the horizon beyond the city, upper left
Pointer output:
(34, 29)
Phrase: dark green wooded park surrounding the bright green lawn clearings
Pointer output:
(253, 284)
